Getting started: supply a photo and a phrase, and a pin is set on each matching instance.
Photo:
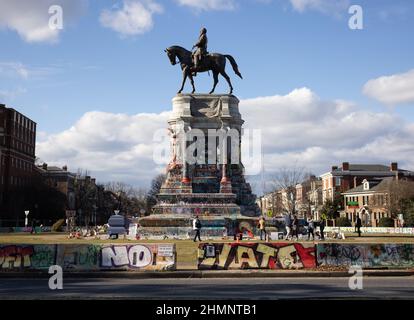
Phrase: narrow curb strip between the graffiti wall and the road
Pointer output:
(197, 274)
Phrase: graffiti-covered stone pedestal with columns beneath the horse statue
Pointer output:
(205, 176)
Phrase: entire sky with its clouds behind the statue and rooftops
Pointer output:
(321, 92)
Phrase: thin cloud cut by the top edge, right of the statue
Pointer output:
(324, 6)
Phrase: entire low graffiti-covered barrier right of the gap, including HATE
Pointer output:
(224, 256)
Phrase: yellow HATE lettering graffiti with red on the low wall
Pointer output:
(256, 256)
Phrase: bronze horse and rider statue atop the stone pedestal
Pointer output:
(201, 61)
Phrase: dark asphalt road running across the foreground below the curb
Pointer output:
(263, 288)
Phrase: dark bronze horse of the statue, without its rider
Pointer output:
(215, 62)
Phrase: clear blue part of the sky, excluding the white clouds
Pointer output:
(280, 46)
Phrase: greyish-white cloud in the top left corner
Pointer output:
(30, 19)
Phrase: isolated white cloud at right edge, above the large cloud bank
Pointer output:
(392, 90)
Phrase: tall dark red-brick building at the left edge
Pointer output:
(17, 156)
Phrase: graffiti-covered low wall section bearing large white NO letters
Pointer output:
(88, 257)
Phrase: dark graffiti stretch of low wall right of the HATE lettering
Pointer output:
(366, 255)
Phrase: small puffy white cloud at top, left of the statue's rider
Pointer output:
(134, 18)
